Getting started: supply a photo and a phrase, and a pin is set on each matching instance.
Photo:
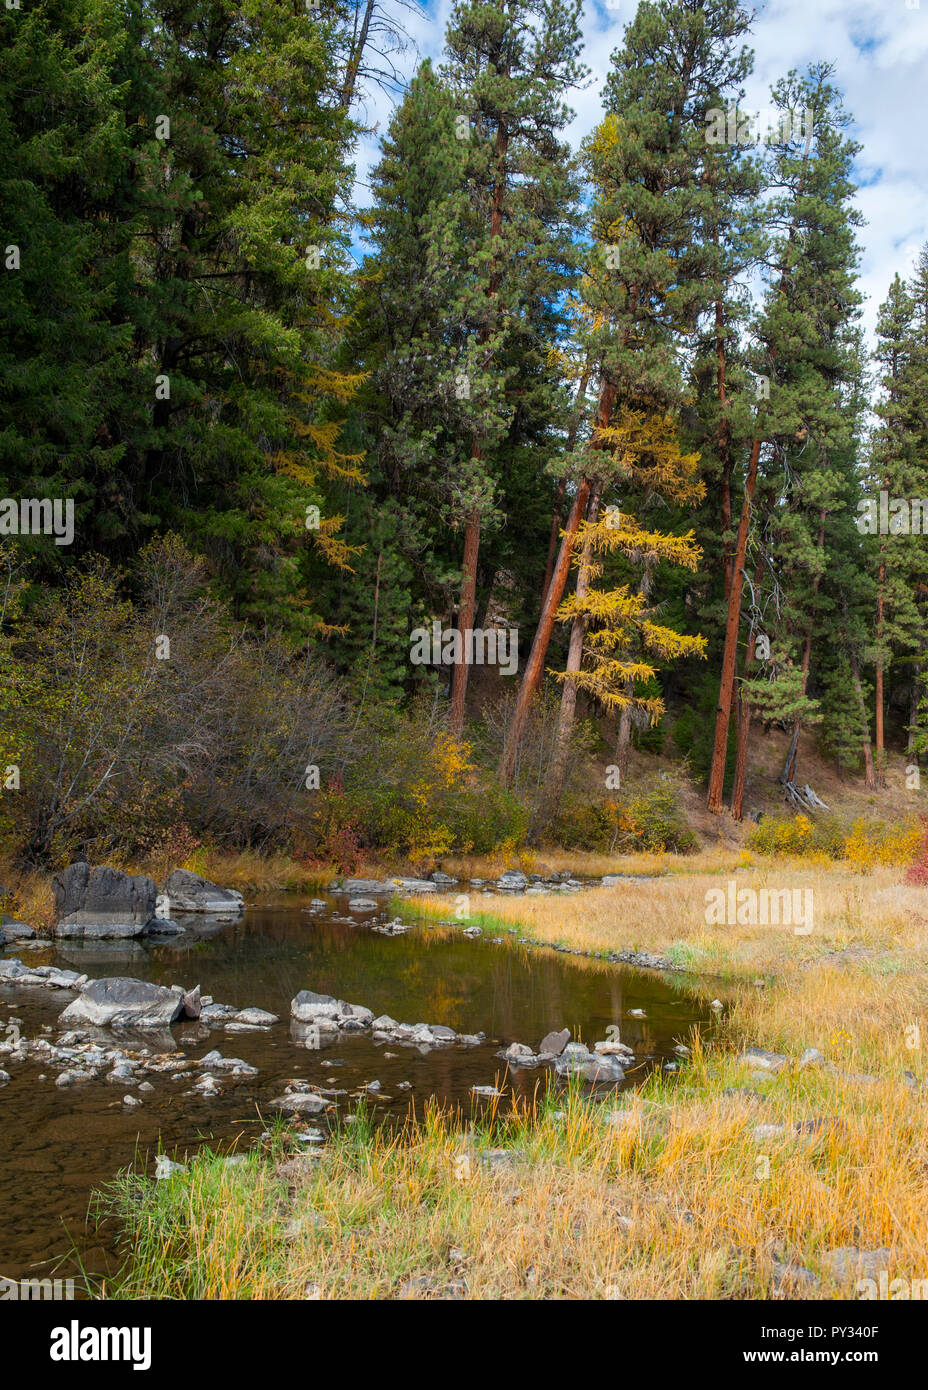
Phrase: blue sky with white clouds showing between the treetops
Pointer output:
(880, 49)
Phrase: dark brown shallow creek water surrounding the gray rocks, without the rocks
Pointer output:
(56, 1145)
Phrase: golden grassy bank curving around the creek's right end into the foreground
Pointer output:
(794, 1171)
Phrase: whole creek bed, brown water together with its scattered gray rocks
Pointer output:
(436, 1011)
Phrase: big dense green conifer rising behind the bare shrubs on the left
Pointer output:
(241, 154)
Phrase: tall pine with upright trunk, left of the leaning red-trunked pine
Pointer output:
(509, 65)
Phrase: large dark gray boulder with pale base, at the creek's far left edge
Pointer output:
(102, 903)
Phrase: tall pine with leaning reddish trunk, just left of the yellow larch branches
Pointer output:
(655, 272)
